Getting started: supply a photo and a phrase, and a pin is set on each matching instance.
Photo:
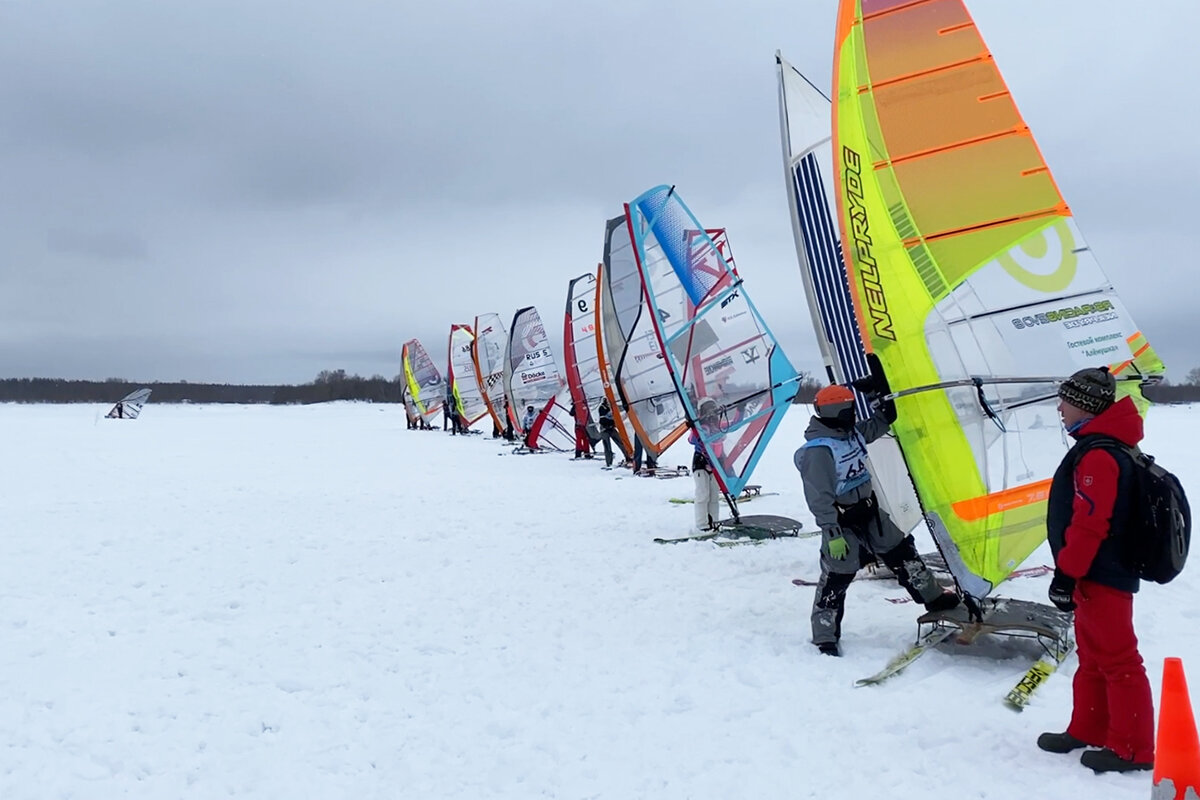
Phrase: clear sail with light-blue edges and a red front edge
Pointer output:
(733, 377)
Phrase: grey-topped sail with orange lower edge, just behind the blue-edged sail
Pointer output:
(649, 396)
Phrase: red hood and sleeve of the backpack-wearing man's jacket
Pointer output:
(1096, 488)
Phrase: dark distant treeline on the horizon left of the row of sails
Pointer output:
(329, 386)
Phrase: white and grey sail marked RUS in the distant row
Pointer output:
(535, 382)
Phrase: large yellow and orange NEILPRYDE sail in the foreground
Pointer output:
(973, 284)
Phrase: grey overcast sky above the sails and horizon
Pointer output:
(253, 191)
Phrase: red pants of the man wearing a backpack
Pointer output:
(1114, 707)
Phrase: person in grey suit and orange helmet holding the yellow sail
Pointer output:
(854, 530)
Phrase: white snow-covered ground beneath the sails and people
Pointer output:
(316, 603)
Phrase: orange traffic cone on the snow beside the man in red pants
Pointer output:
(1178, 750)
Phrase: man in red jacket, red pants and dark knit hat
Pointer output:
(1089, 515)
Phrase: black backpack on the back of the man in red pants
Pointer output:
(1156, 543)
